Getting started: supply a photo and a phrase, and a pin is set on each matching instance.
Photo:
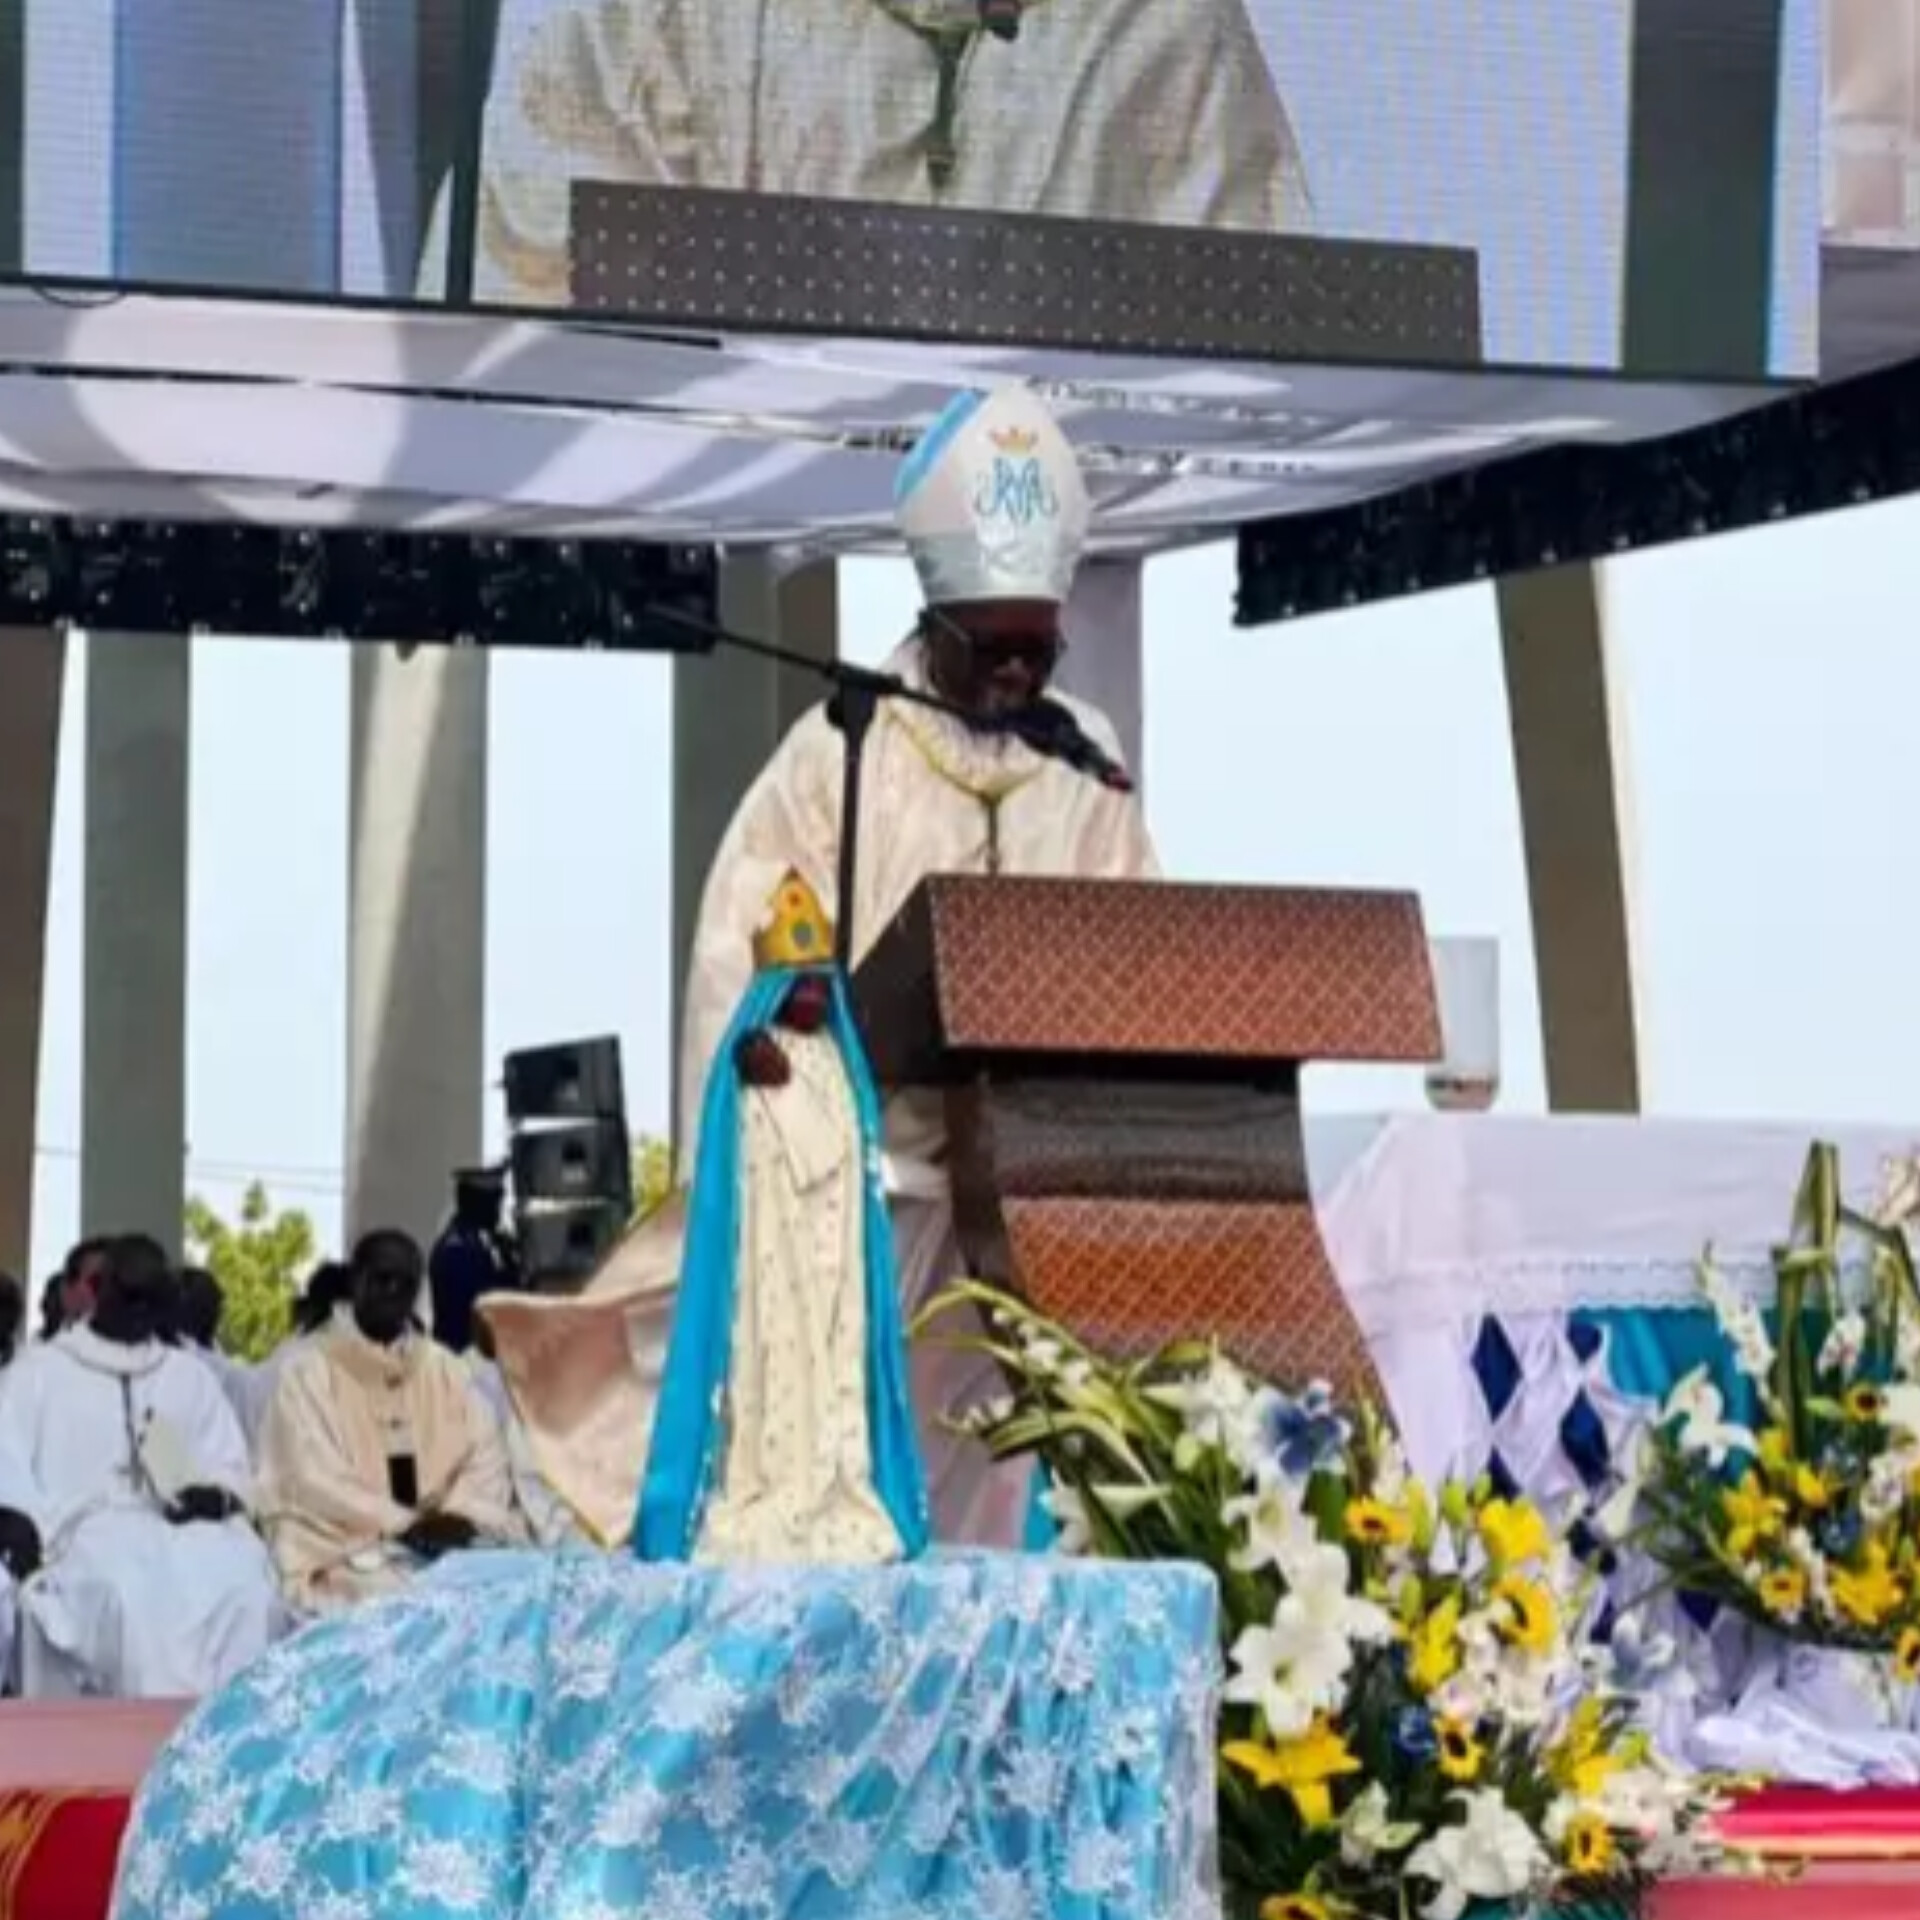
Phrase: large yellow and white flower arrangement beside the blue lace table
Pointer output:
(1412, 1721)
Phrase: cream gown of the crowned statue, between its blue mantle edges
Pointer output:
(798, 1481)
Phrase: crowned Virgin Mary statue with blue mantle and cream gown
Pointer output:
(784, 1431)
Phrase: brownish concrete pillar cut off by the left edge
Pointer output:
(34, 669)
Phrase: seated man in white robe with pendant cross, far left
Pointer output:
(124, 1485)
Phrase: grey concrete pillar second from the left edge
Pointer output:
(133, 1020)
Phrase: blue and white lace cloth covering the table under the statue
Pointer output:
(581, 1739)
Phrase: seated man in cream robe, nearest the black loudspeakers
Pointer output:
(377, 1456)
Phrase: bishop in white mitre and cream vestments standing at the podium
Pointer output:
(996, 516)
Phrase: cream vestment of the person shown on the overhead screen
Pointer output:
(1116, 110)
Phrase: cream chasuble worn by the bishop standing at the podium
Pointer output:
(936, 800)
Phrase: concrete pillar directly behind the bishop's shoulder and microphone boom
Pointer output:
(732, 711)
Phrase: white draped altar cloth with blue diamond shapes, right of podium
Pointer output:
(1531, 1289)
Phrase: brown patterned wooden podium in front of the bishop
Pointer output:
(1122, 1074)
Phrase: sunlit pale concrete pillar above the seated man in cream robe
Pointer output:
(416, 934)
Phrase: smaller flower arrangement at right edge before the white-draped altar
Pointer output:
(1806, 1512)
